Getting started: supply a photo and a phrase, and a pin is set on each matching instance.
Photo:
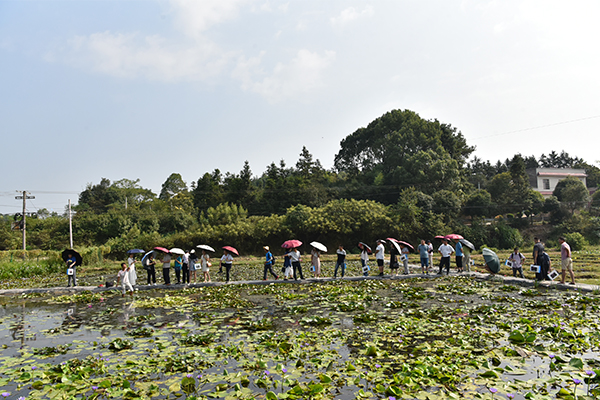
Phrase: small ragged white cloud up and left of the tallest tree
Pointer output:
(303, 74)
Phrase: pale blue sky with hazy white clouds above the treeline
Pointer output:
(141, 89)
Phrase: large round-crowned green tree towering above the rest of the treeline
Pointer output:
(407, 151)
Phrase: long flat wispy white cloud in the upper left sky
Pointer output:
(151, 57)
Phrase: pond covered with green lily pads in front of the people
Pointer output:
(451, 337)
